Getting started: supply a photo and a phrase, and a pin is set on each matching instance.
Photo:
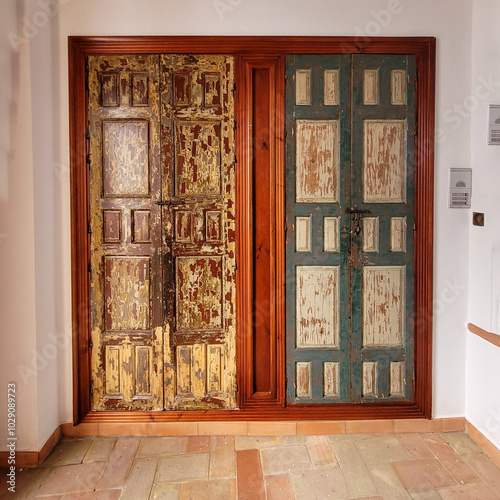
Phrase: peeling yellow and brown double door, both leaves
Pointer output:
(162, 232)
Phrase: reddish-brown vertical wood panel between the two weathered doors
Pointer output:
(260, 168)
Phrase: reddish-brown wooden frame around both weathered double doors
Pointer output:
(249, 52)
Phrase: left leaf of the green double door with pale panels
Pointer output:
(317, 229)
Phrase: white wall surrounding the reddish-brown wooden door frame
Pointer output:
(448, 20)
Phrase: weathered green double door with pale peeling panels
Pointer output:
(349, 205)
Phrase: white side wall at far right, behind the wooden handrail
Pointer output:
(483, 359)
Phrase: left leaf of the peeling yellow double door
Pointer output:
(125, 226)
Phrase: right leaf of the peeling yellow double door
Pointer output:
(198, 196)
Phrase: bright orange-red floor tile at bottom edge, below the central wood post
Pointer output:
(249, 475)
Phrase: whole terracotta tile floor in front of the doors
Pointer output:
(363, 466)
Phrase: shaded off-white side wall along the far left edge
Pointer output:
(17, 226)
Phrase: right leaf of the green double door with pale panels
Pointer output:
(383, 266)
